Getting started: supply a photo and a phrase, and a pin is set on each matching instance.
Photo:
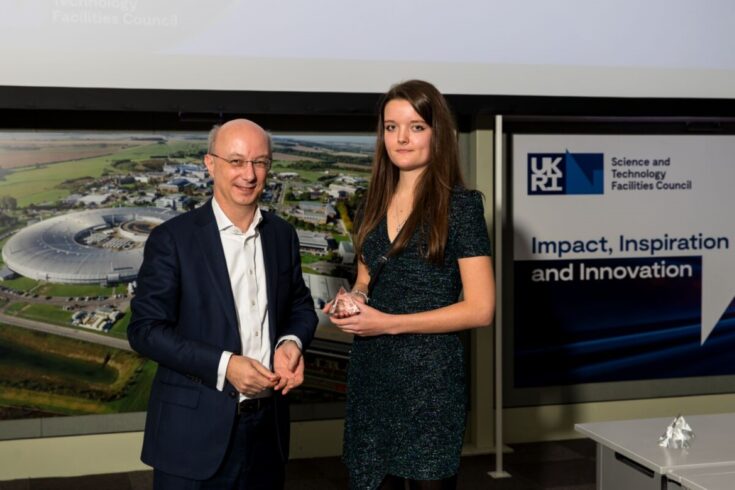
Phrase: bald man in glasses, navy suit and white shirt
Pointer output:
(222, 307)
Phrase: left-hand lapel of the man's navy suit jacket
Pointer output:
(213, 256)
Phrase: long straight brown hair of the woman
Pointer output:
(432, 195)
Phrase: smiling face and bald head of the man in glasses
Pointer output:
(237, 189)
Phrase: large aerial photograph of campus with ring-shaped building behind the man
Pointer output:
(75, 211)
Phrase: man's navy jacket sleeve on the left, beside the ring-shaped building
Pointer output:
(155, 329)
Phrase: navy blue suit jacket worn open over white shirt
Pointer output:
(184, 316)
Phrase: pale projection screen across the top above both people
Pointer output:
(625, 48)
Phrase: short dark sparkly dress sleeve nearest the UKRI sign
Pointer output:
(467, 224)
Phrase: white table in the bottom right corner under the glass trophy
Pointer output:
(629, 457)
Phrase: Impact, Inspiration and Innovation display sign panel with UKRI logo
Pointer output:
(622, 258)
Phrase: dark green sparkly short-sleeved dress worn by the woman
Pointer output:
(406, 395)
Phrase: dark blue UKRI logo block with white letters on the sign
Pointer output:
(565, 173)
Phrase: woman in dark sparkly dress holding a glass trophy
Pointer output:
(406, 401)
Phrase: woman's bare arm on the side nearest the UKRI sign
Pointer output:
(476, 309)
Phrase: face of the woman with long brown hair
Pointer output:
(407, 136)
